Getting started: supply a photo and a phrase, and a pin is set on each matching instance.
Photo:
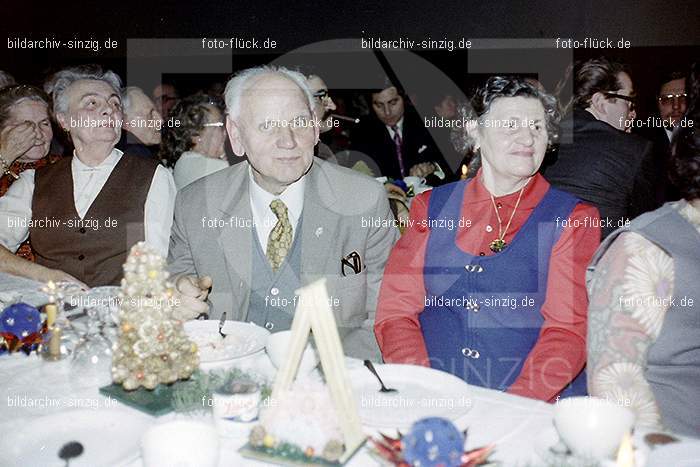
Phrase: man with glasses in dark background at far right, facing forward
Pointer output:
(671, 102)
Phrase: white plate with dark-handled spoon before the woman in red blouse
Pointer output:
(422, 392)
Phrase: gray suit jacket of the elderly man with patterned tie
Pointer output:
(212, 235)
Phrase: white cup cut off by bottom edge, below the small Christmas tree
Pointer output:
(180, 443)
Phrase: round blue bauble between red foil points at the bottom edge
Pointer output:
(433, 442)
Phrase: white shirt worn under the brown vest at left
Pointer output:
(16, 205)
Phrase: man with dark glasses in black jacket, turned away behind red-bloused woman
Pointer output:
(605, 166)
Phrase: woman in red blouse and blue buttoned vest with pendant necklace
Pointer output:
(488, 283)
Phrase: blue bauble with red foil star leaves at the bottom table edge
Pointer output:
(431, 442)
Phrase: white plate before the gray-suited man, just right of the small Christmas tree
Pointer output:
(242, 339)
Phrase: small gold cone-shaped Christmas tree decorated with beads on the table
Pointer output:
(152, 347)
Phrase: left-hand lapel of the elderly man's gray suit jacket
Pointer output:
(237, 241)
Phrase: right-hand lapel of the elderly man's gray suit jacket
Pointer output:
(319, 225)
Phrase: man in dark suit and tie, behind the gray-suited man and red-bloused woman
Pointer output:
(395, 138)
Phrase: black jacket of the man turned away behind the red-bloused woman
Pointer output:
(605, 167)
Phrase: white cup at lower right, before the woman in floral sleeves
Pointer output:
(592, 427)
